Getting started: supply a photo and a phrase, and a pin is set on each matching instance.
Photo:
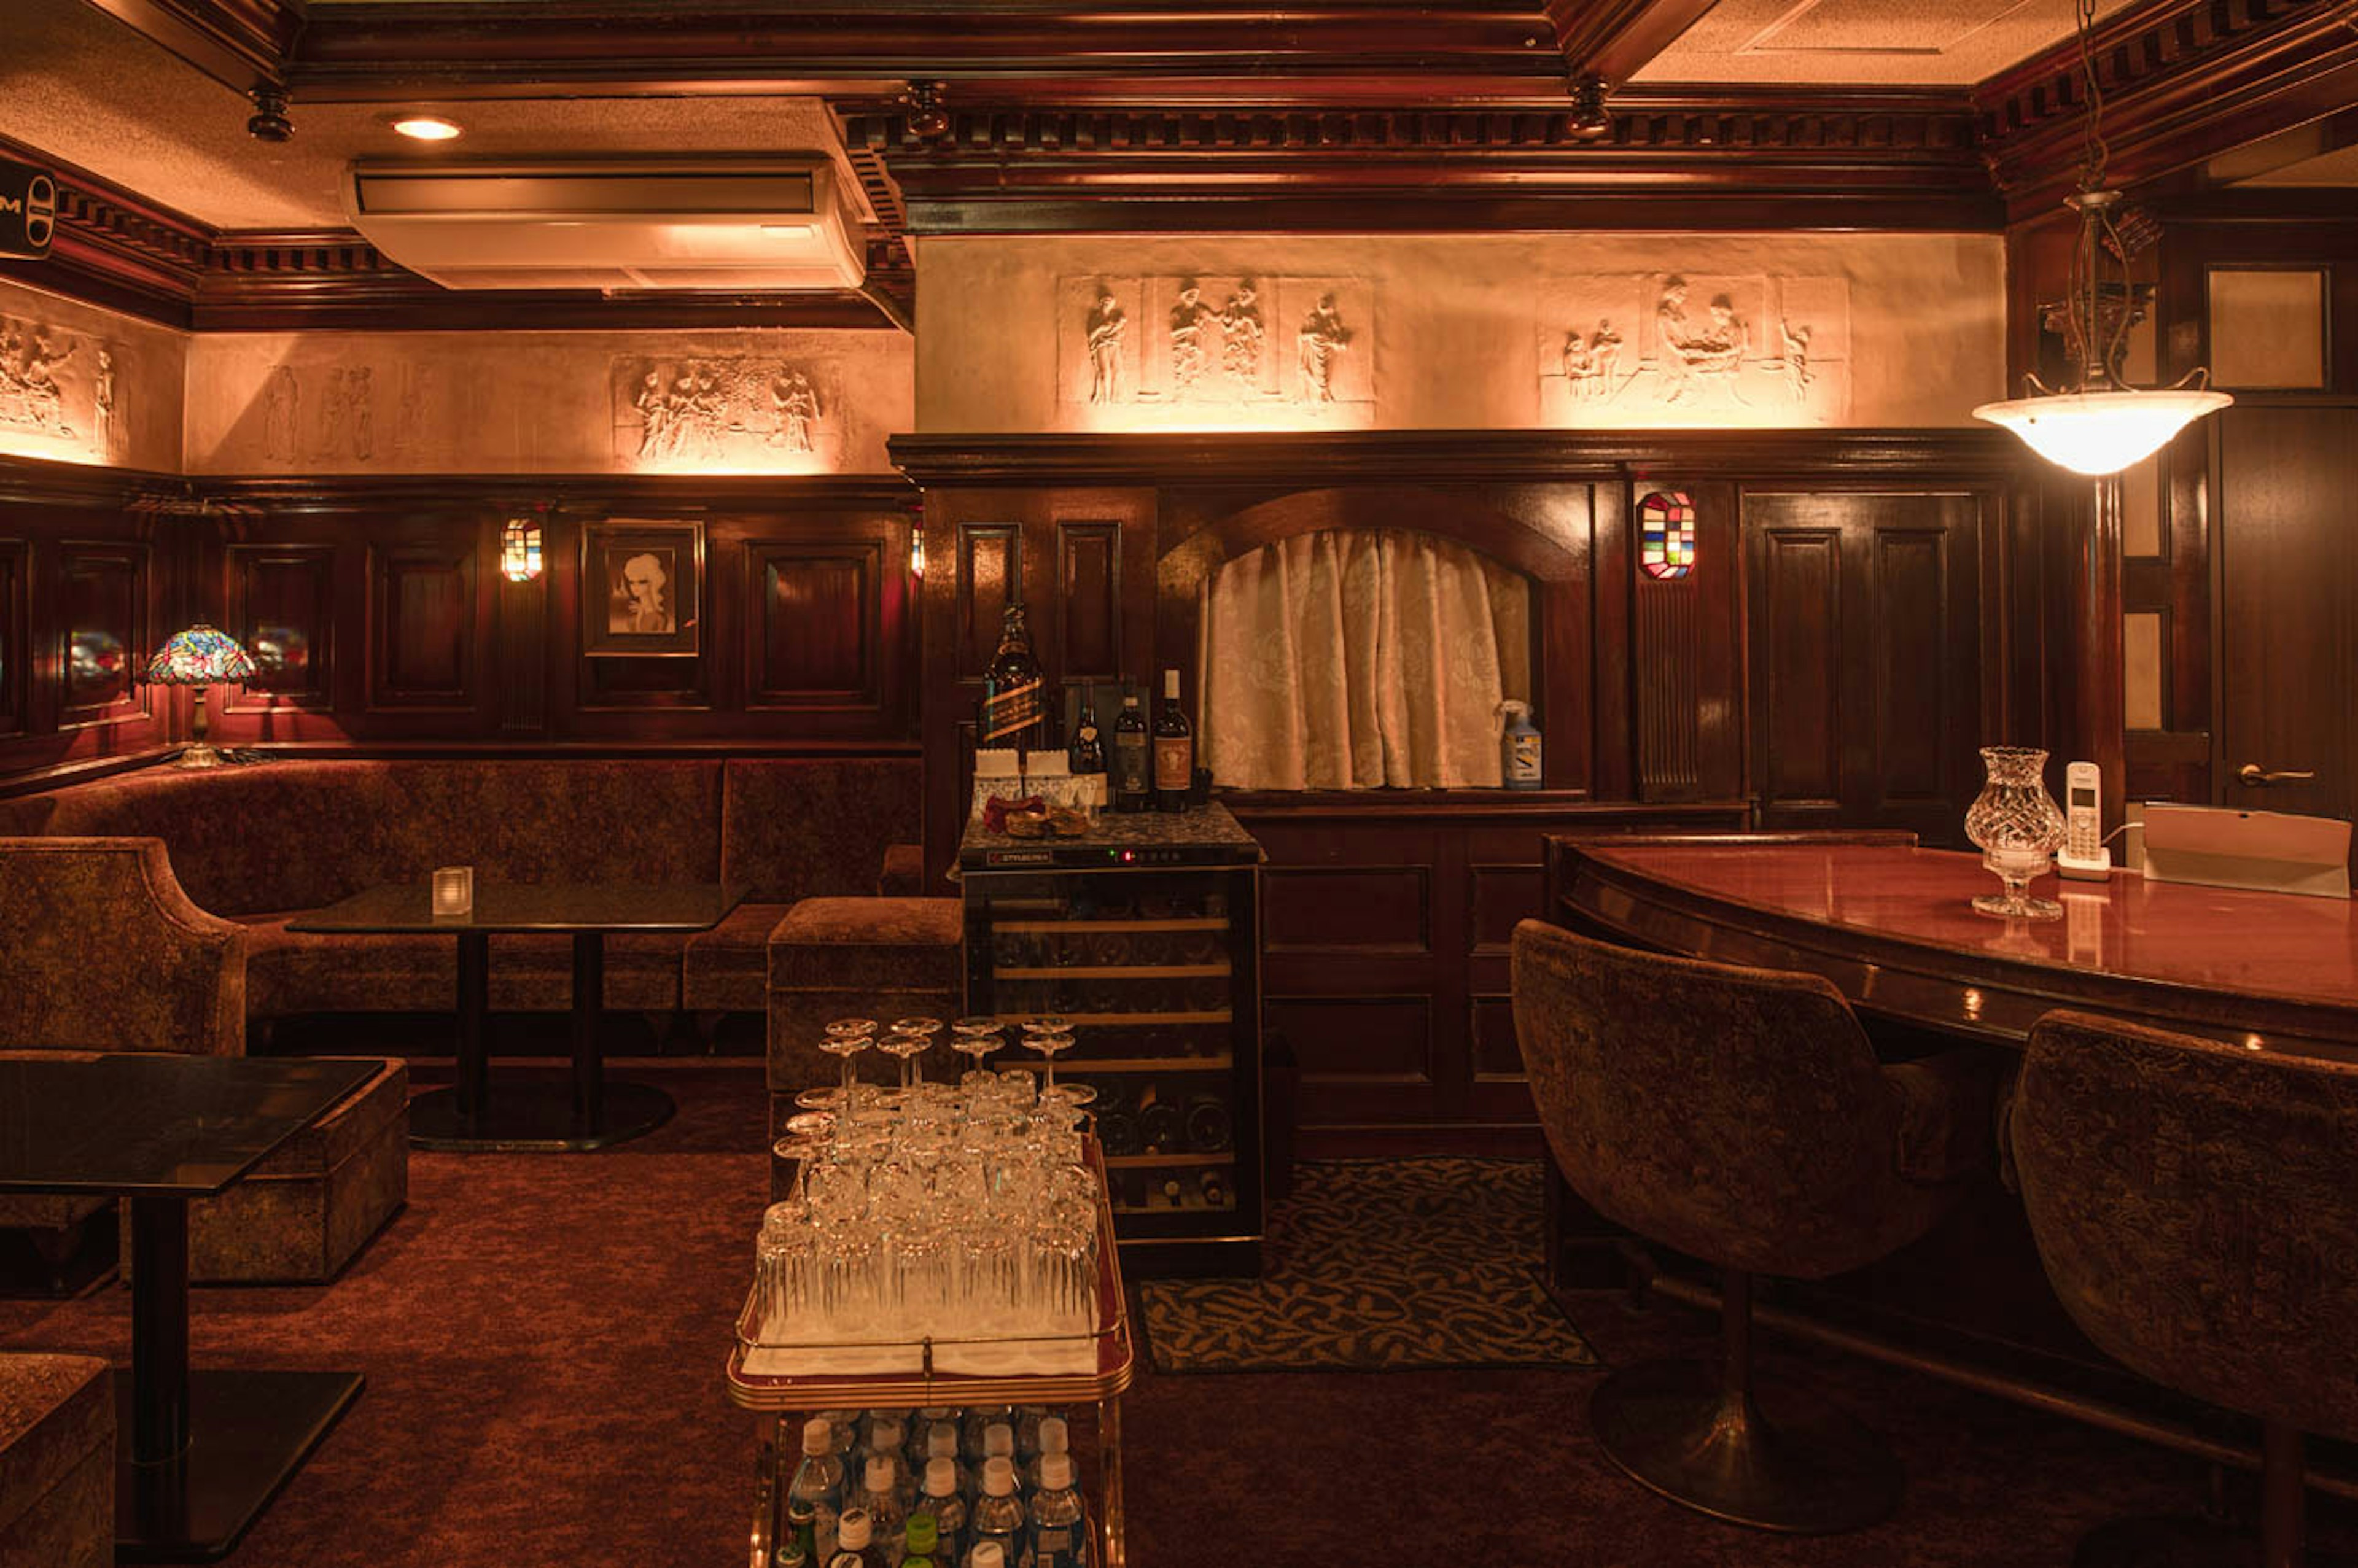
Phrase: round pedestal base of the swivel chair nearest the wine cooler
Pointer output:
(1680, 1432)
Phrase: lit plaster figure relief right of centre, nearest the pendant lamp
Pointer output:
(1715, 350)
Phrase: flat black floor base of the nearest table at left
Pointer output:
(246, 1435)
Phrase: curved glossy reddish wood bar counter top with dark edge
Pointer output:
(1895, 930)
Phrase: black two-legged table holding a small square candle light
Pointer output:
(532, 1114)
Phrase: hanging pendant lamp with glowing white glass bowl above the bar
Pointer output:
(2097, 423)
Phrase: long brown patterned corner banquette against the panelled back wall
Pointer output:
(261, 845)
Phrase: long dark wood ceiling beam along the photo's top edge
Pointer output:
(1218, 48)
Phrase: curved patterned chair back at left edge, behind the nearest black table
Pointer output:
(100, 949)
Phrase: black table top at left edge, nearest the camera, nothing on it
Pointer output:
(154, 1126)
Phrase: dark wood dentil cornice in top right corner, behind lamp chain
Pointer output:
(2182, 81)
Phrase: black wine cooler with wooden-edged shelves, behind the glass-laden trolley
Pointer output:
(1159, 973)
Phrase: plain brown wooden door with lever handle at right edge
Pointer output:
(2288, 598)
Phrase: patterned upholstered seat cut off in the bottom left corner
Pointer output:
(58, 1463)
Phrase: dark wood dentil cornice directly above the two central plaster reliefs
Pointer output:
(1671, 159)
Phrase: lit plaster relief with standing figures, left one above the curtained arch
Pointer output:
(1230, 350)
